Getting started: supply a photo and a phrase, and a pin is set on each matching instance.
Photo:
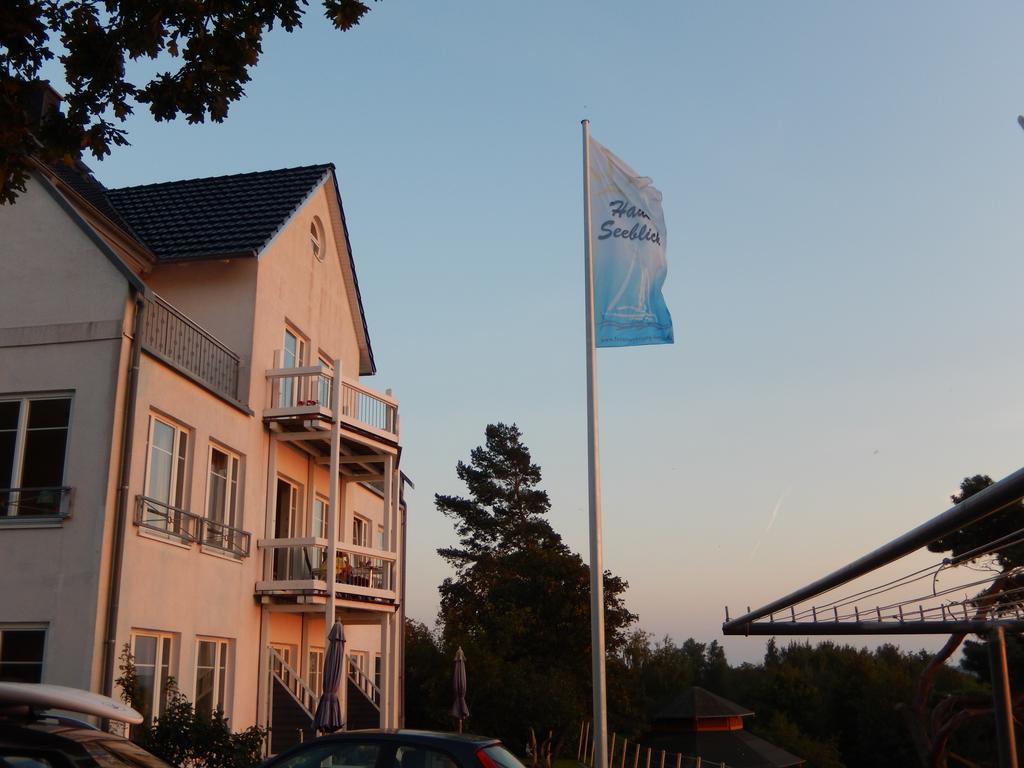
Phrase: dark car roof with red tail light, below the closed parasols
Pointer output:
(397, 749)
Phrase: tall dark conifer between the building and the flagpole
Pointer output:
(520, 601)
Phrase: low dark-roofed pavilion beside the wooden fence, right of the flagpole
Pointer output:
(701, 724)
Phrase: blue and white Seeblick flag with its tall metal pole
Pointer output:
(623, 279)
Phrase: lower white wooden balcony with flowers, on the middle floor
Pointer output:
(298, 567)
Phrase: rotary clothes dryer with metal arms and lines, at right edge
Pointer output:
(942, 599)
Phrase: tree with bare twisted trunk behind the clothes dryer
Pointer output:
(933, 724)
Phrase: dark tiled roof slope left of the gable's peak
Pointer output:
(218, 218)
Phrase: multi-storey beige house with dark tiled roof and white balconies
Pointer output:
(191, 463)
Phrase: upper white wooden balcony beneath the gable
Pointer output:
(304, 396)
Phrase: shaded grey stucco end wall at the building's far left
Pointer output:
(63, 307)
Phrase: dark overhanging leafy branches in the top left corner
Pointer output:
(208, 49)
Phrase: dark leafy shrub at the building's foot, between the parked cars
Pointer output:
(185, 738)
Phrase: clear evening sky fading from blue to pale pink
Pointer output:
(842, 187)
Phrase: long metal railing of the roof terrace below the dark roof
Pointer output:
(172, 335)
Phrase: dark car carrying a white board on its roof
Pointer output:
(33, 737)
